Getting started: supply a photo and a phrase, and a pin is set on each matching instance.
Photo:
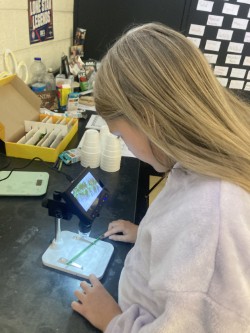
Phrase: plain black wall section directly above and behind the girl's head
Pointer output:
(106, 20)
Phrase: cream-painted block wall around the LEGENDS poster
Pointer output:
(14, 33)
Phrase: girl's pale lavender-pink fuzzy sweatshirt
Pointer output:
(189, 271)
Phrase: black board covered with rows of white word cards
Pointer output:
(221, 29)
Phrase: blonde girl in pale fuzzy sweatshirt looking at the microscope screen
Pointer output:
(189, 268)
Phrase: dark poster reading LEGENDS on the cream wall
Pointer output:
(40, 20)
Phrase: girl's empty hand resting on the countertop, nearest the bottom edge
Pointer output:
(95, 303)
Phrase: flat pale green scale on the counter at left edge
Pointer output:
(23, 183)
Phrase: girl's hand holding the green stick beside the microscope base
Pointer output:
(127, 229)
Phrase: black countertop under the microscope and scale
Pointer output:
(35, 298)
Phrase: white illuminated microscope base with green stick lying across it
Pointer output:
(93, 261)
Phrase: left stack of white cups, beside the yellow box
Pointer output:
(91, 149)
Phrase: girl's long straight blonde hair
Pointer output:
(159, 81)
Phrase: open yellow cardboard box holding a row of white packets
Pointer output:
(17, 104)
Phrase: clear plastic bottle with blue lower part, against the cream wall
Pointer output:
(38, 75)
